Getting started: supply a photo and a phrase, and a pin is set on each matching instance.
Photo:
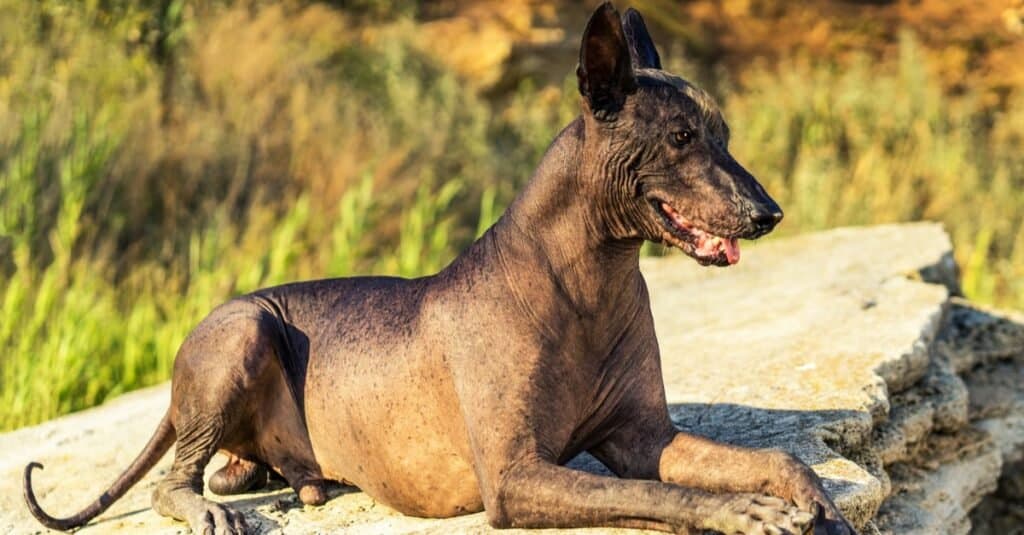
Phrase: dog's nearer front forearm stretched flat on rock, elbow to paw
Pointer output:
(540, 495)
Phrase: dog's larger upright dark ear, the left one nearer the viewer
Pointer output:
(606, 72)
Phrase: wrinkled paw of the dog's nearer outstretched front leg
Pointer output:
(759, 515)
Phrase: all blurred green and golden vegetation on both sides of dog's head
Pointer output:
(158, 158)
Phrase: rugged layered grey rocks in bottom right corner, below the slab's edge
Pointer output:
(935, 487)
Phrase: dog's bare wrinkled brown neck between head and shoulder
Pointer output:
(557, 228)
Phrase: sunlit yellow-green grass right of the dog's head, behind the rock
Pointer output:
(865, 143)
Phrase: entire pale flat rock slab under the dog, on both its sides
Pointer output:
(798, 348)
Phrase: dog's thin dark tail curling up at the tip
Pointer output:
(157, 447)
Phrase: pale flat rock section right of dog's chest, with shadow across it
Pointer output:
(832, 327)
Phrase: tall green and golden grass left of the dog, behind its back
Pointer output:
(285, 147)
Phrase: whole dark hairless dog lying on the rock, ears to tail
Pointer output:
(470, 390)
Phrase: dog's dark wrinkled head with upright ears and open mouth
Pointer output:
(665, 173)
